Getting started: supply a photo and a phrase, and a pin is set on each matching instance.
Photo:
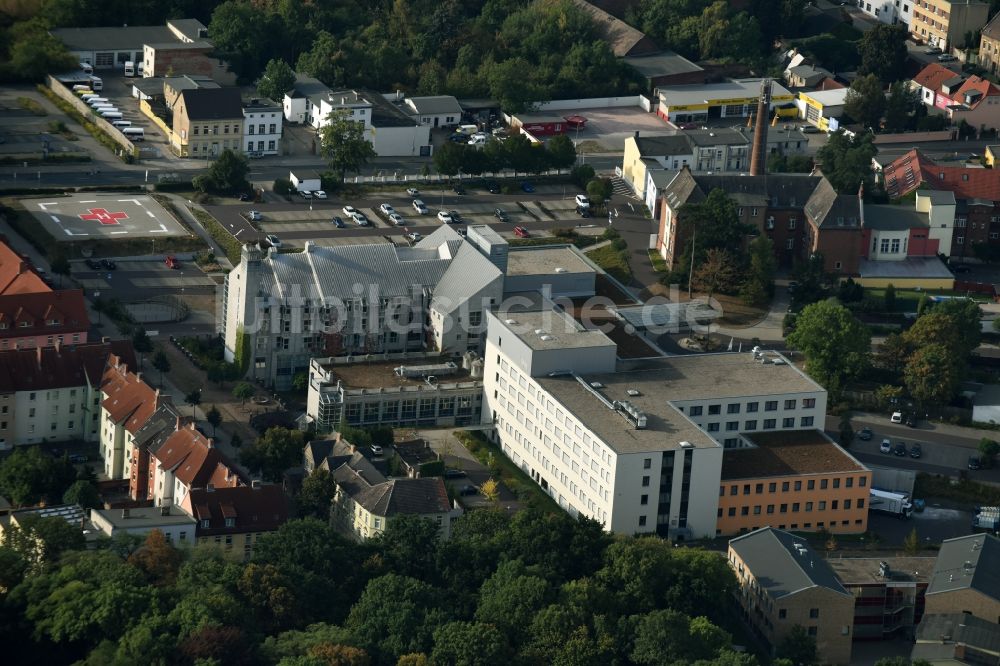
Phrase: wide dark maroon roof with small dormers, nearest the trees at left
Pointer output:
(260, 509)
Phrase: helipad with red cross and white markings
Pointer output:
(90, 216)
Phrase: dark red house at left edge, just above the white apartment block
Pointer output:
(43, 318)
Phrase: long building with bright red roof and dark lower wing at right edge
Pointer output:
(976, 194)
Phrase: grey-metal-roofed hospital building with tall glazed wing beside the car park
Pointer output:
(284, 309)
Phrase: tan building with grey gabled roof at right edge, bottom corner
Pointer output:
(966, 578)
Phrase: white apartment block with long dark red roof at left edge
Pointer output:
(53, 393)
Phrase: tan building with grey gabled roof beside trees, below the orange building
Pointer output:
(782, 583)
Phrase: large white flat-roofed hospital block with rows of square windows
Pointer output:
(635, 445)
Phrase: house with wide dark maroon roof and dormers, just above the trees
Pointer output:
(235, 519)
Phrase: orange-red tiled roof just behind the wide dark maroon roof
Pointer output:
(194, 460)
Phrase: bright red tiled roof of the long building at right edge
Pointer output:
(906, 173)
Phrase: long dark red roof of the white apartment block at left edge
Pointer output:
(62, 366)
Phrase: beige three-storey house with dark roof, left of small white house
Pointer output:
(206, 121)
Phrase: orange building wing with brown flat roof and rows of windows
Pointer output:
(798, 480)
